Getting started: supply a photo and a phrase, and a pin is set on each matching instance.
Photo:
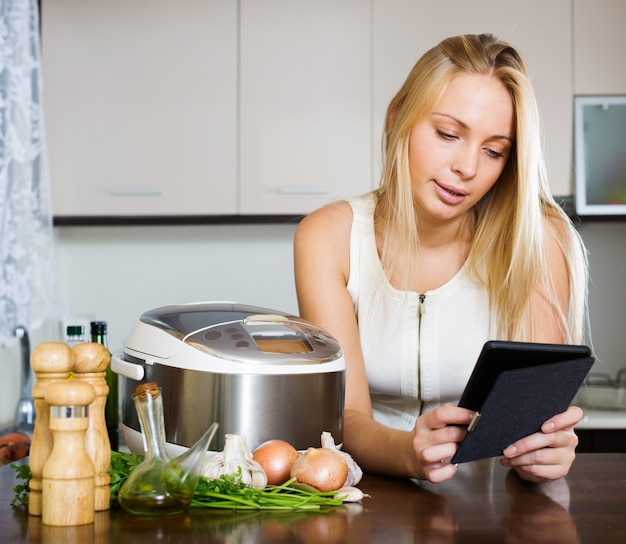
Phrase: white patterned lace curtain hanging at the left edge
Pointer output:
(28, 288)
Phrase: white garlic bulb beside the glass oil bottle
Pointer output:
(236, 457)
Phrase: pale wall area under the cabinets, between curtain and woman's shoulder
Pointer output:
(116, 273)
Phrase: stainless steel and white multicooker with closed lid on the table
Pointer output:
(256, 372)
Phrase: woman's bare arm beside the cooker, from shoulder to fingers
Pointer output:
(322, 265)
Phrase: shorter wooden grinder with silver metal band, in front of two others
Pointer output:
(68, 484)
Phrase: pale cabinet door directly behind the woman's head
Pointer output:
(541, 31)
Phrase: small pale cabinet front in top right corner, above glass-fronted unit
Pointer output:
(599, 45)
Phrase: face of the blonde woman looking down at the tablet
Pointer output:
(459, 150)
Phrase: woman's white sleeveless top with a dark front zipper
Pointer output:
(419, 349)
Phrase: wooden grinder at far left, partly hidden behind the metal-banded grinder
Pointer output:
(50, 361)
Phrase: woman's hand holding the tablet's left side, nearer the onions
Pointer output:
(436, 439)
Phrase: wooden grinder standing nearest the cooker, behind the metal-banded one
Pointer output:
(89, 363)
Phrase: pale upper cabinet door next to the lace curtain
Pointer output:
(140, 102)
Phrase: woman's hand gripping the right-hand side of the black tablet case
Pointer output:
(548, 454)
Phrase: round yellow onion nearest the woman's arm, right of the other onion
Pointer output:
(321, 468)
